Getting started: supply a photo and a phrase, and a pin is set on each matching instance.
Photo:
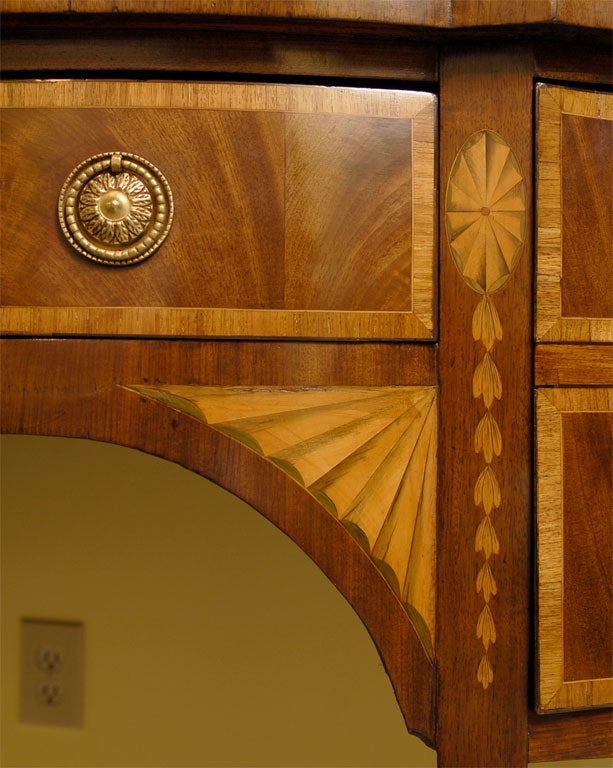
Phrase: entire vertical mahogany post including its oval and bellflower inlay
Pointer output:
(482, 718)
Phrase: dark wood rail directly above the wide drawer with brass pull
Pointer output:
(250, 52)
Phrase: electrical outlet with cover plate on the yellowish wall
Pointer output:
(52, 672)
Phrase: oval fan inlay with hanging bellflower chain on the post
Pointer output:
(485, 220)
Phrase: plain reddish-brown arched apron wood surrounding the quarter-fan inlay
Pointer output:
(77, 388)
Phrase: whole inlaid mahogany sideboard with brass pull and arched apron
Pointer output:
(351, 260)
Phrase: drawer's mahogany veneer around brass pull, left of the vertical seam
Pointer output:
(222, 214)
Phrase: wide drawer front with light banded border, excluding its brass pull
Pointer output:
(299, 211)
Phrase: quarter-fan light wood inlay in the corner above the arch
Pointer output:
(367, 454)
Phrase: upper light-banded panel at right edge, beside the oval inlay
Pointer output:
(574, 289)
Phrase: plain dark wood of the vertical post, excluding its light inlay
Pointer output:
(492, 729)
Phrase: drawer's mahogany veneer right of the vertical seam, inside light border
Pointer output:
(348, 196)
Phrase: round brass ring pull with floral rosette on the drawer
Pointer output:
(116, 208)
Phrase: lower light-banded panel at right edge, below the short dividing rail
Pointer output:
(575, 546)
